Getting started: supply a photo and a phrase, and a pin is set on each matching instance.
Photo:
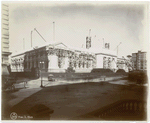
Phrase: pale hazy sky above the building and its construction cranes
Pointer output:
(115, 23)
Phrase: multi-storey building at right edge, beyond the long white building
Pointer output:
(139, 60)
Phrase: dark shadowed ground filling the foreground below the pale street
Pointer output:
(72, 101)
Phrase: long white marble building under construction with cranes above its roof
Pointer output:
(57, 57)
